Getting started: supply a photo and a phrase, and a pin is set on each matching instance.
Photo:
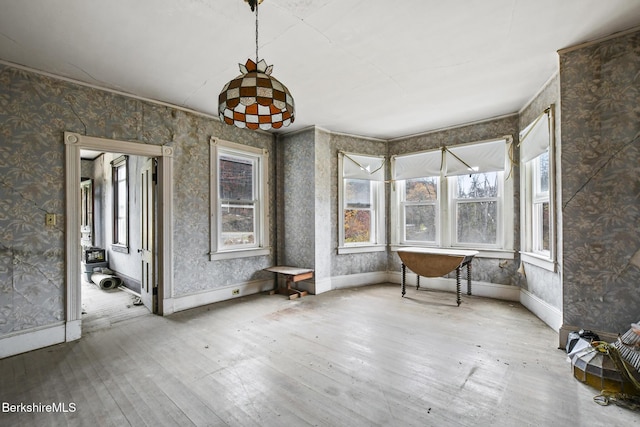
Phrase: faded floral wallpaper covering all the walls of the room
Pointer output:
(600, 165)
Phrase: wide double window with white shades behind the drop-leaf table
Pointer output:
(454, 197)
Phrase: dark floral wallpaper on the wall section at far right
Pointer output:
(600, 102)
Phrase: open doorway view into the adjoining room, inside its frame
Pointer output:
(114, 192)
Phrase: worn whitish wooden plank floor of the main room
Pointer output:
(355, 357)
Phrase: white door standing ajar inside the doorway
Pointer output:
(148, 287)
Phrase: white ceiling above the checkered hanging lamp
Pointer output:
(374, 68)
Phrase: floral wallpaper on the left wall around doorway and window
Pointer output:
(34, 113)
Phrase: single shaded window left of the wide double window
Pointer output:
(361, 198)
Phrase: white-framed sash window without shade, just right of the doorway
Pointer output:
(239, 203)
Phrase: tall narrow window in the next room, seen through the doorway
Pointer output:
(120, 204)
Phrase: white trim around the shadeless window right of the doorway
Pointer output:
(262, 216)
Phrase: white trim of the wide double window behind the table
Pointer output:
(504, 249)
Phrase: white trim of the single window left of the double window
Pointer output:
(380, 244)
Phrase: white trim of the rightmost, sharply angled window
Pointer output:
(542, 260)
